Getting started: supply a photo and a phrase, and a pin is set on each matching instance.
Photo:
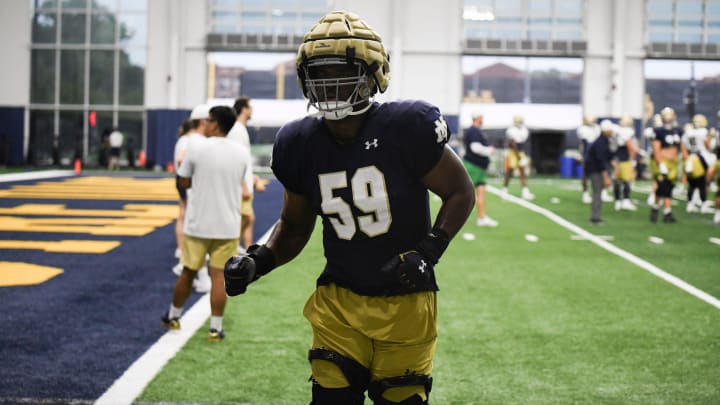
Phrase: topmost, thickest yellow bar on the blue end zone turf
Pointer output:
(98, 188)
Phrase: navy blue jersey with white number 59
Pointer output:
(368, 192)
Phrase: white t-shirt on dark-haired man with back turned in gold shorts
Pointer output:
(217, 167)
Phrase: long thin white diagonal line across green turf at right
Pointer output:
(647, 266)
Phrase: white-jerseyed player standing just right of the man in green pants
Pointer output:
(516, 159)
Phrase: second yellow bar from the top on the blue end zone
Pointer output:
(129, 210)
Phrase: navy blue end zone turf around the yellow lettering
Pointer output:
(70, 337)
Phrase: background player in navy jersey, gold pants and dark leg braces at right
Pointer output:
(665, 146)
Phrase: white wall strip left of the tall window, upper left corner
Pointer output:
(15, 31)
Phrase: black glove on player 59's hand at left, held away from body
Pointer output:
(241, 270)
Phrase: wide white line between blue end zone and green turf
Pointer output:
(134, 380)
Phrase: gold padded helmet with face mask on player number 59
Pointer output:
(341, 64)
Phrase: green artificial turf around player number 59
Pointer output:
(558, 320)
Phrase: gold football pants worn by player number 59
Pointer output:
(391, 336)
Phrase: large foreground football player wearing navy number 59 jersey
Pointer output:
(365, 168)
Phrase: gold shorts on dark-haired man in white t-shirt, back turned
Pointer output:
(195, 249)
